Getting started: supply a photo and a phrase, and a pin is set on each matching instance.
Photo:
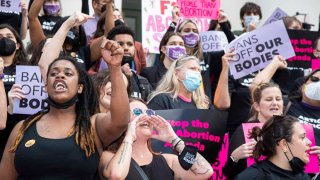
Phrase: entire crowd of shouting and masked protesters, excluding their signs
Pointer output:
(102, 99)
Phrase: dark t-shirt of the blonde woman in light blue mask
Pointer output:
(165, 101)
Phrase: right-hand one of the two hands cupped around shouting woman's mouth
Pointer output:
(163, 128)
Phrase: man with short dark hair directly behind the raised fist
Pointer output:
(141, 88)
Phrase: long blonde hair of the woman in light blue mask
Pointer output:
(170, 84)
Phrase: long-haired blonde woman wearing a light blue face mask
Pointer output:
(180, 87)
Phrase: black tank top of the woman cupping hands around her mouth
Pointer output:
(158, 169)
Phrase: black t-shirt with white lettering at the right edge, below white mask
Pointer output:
(308, 115)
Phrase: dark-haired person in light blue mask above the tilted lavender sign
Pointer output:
(250, 16)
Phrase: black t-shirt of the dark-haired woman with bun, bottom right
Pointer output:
(267, 170)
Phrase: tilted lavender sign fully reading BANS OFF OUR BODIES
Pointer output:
(255, 50)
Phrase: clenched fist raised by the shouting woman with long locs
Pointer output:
(112, 52)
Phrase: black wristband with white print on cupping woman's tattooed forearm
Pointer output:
(187, 157)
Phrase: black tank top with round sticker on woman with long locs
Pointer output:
(42, 158)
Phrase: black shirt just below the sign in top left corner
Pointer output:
(14, 19)
